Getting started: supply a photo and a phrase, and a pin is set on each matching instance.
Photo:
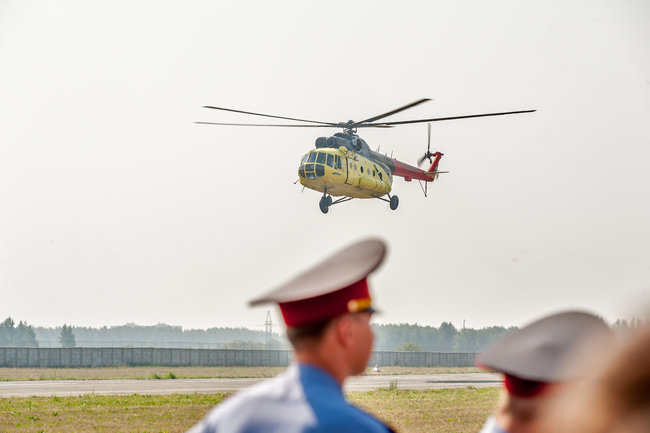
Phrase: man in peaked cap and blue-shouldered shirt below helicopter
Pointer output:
(327, 311)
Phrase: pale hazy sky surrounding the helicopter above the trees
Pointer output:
(115, 207)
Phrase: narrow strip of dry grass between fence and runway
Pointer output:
(7, 374)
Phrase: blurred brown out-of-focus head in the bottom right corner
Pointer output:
(615, 398)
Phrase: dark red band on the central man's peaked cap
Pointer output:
(319, 308)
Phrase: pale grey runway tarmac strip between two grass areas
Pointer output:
(64, 388)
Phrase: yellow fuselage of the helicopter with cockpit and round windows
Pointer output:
(341, 172)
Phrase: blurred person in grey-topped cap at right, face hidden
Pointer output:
(539, 362)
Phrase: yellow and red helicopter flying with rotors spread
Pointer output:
(344, 166)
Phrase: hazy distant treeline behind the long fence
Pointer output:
(398, 337)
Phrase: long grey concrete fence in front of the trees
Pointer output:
(131, 356)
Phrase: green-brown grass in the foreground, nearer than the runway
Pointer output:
(457, 410)
